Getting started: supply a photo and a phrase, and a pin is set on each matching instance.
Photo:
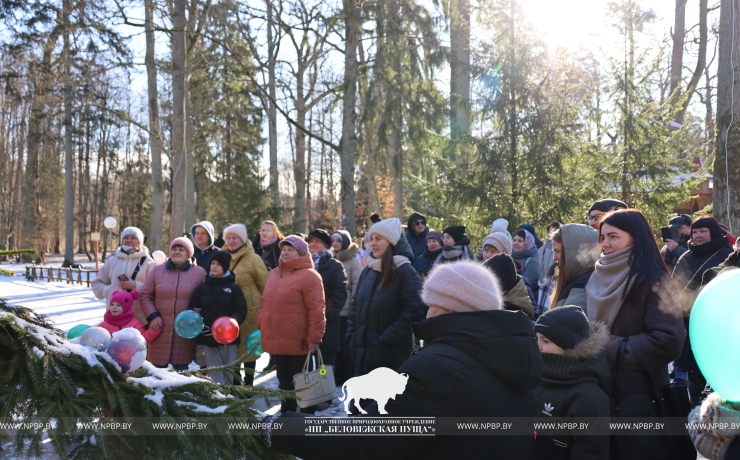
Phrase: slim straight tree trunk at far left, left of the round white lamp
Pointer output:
(69, 229)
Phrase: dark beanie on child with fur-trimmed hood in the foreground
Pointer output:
(565, 326)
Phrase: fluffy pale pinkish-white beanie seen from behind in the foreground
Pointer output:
(462, 286)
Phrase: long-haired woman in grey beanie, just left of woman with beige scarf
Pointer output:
(575, 248)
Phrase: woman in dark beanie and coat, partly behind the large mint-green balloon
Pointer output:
(708, 248)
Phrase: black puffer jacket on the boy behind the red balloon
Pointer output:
(218, 297)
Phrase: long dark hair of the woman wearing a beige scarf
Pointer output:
(645, 262)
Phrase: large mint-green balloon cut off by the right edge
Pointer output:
(715, 334)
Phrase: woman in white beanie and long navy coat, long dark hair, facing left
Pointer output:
(386, 302)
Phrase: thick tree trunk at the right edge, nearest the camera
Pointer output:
(727, 151)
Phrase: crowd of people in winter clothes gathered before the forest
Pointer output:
(592, 316)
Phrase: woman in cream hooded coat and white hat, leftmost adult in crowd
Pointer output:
(126, 270)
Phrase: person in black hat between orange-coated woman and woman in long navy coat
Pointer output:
(335, 290)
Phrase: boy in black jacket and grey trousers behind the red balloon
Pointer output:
(218, 296)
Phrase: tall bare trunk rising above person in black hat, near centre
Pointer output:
(349, 116)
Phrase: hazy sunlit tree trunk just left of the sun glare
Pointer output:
(460, 75)
